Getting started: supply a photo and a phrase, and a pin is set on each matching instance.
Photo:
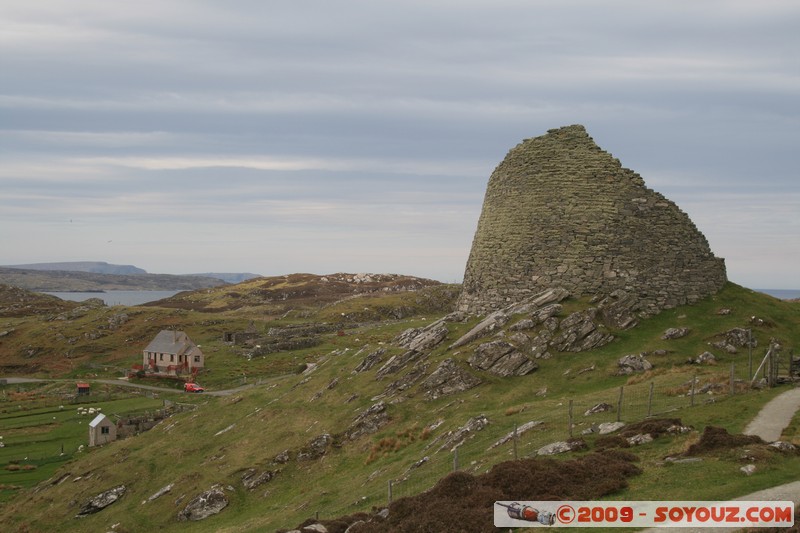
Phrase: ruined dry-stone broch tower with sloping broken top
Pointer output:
(560, 211)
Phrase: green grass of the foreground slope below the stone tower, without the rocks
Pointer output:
(194, 452)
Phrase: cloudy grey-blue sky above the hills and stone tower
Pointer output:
(331, 136)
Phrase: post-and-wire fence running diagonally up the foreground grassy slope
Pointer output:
(478, 444)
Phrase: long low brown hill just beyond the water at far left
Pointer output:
(67, 281)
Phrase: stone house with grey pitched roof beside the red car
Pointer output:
(172, 353)
